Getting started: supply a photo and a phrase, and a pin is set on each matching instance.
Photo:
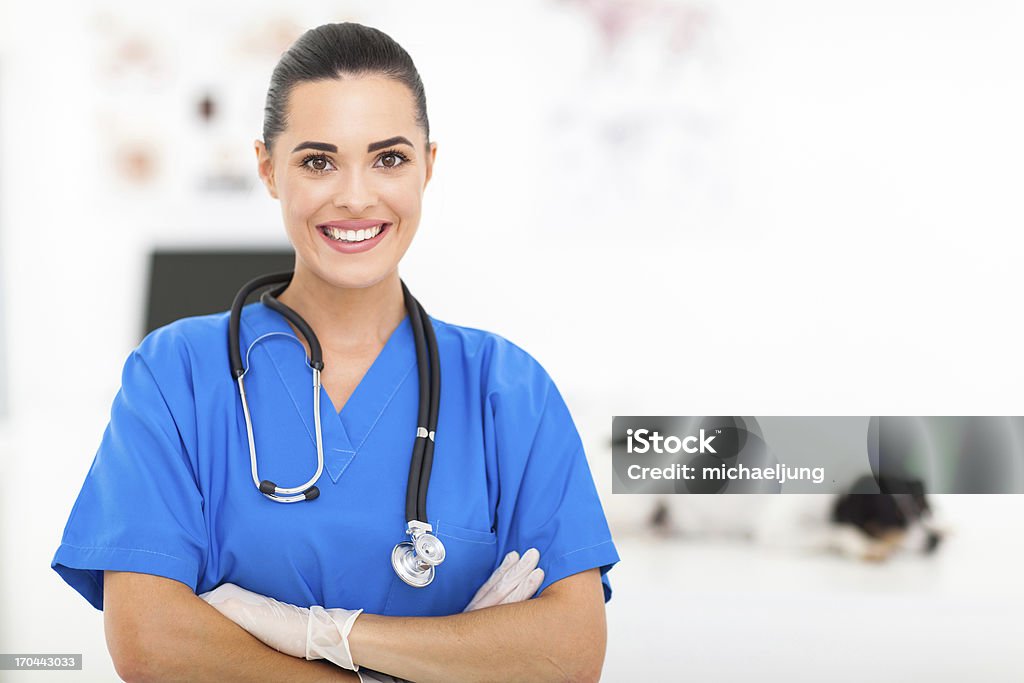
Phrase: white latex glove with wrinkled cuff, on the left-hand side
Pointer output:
(315, 633)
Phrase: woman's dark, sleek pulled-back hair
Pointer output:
(335, 51)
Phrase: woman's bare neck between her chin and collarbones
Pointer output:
(347, 319)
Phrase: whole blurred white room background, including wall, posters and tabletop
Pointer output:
(678, 208)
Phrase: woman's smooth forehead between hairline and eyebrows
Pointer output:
(352, 111)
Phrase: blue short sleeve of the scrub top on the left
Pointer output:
(140, 508)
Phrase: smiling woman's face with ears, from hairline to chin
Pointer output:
(352, 152)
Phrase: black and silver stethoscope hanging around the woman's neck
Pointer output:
(414, 561)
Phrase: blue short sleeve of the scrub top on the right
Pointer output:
(548, 499)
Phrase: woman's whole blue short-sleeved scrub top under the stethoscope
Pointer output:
(170, 491)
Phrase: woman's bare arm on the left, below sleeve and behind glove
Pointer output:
(158, 630)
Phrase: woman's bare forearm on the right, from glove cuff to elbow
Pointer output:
(559, 636)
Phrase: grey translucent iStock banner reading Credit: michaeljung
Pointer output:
(816, 455)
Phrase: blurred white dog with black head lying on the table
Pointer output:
(859, 524)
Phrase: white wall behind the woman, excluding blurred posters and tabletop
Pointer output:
(744, 209)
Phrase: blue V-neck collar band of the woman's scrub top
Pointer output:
(344, 434)
